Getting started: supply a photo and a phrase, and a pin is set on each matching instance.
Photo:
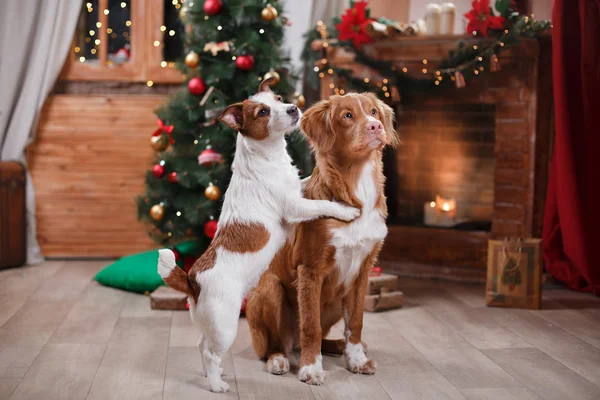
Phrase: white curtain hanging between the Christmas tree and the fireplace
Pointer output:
(304, 15)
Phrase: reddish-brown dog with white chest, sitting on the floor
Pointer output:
(320, 275)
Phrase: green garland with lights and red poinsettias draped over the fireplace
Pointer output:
(356, 28)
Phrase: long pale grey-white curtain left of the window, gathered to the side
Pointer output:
(35, 37)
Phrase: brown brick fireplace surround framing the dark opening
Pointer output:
(522, 95)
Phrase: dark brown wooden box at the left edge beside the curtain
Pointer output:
(13, 243)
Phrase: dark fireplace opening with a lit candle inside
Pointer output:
(445, 167)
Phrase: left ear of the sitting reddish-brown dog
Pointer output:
(316, 125)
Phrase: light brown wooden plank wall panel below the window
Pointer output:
(87, 165)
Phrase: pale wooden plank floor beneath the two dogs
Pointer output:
(62, 336)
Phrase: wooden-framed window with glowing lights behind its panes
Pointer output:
(127, 40)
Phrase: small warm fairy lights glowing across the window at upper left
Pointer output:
(94, 35)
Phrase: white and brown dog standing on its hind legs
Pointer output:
(264, 196)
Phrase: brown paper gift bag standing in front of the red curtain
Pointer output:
(514, 275)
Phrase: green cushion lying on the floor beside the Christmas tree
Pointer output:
(135, 273)
